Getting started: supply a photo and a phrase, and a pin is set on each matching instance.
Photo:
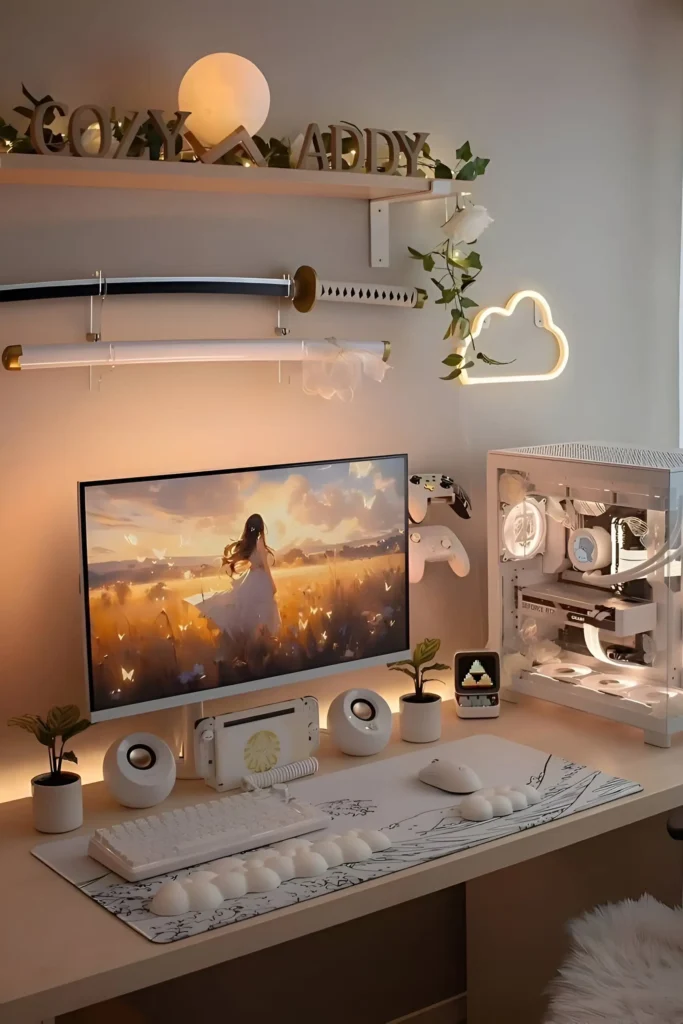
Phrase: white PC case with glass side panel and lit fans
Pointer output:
(585, 546)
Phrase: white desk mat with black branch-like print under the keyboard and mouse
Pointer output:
(422, 823)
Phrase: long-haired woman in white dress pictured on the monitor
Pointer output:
(250, 608)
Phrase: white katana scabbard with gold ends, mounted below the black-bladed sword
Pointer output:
(136, 353)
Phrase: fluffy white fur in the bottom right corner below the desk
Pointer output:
(626, 967)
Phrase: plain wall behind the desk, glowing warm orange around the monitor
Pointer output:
(579, 107)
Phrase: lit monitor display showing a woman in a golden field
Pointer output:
(202, 585)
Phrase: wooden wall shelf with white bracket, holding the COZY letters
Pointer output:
(380, 191)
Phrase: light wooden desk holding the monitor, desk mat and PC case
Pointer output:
(62, 952)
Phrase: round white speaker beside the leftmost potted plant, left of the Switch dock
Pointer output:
(140, 771)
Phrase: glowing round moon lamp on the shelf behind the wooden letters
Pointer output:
(224, 92)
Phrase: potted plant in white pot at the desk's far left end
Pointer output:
(58, 800)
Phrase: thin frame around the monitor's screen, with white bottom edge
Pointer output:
(198, 697)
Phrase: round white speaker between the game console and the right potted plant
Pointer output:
(360, 722)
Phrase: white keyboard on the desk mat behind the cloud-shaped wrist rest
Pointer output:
(145, 847)
